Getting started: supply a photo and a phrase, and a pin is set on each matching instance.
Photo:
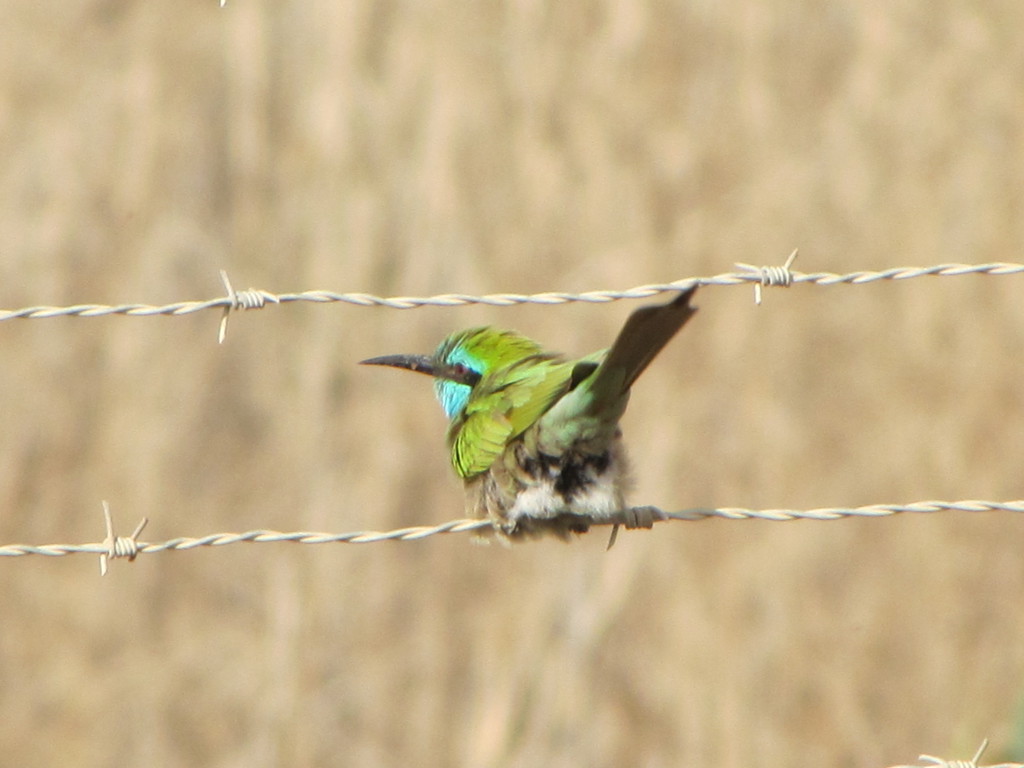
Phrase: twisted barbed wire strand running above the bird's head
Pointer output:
(254, 298)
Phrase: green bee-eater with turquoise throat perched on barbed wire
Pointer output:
(536, 437)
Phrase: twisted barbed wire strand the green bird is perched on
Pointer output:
(129, 547)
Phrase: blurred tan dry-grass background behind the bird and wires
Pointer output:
(417, 148)
